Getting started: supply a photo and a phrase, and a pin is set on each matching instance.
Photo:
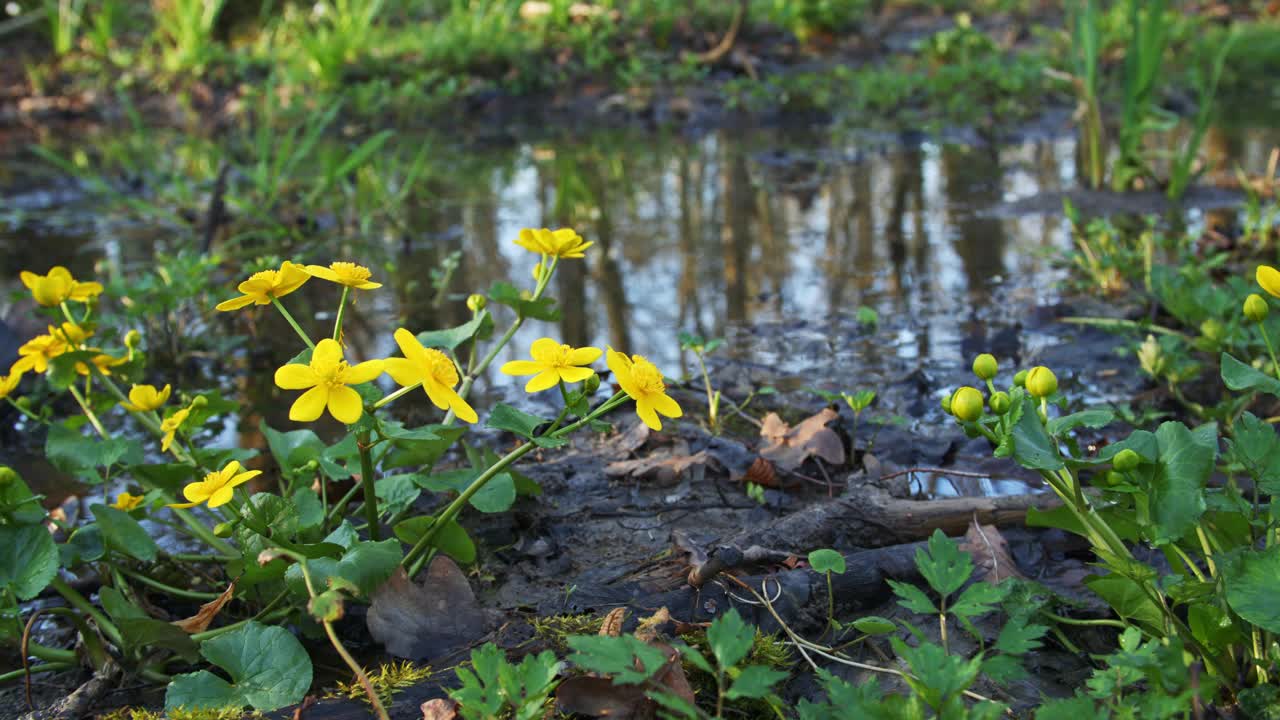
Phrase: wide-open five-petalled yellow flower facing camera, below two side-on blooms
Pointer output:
(327, 377)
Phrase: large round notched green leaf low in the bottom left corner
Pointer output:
(268, 669)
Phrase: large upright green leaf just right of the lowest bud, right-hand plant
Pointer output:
(1178, 486)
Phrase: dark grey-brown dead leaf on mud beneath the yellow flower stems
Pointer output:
(429, 621)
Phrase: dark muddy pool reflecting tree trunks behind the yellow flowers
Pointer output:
(771, 239)
